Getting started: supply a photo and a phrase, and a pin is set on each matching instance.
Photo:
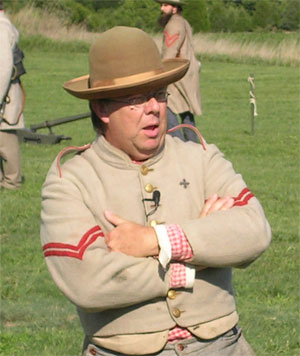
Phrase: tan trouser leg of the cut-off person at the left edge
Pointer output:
(10, 154)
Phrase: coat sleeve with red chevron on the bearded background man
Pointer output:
(173, 38)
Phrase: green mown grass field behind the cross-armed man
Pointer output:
(37, 320)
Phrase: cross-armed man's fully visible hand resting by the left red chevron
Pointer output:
(130, 238)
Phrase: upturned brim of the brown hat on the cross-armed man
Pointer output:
(172, 71)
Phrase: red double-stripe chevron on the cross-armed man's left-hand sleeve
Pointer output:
(75, 251)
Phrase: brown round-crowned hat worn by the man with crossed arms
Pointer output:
(125, 61)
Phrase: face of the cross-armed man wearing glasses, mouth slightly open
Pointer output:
(138, 129)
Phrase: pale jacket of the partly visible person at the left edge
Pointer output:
(13, 114)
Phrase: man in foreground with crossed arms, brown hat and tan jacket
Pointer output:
(139, 229)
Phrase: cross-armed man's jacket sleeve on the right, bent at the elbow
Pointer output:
(232, 238)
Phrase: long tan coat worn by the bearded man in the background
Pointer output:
(178, 43)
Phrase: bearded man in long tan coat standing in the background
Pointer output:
(184, 99)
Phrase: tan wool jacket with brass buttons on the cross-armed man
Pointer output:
(124, 302)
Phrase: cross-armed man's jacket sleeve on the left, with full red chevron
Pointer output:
(76, 255)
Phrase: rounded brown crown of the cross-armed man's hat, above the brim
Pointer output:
(121, 52)
